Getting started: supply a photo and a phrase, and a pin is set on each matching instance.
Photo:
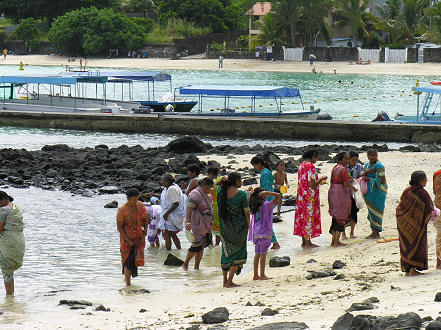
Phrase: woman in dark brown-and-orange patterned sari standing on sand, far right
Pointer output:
(413, 214)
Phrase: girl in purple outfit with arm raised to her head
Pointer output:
(261, 227)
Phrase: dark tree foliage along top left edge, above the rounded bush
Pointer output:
(50, 9)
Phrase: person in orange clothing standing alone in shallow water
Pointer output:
(132, 222)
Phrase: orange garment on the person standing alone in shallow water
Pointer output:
(133, 222)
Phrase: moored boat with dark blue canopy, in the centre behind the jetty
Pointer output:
(242, 101)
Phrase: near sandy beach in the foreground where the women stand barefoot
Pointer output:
(372, 270)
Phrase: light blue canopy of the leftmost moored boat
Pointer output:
(49, 80)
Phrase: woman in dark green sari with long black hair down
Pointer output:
(234, 220)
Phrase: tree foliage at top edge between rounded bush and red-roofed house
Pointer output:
(218, 15)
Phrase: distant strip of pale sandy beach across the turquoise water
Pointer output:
(428, 69)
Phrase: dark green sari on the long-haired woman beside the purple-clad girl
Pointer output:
(234, 231)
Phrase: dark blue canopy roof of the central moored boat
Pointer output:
(250, 91)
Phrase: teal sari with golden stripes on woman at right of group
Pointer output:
(375, 196)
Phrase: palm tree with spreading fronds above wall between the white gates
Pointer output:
(353, 13)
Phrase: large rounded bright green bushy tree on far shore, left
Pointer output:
(93, 31)
